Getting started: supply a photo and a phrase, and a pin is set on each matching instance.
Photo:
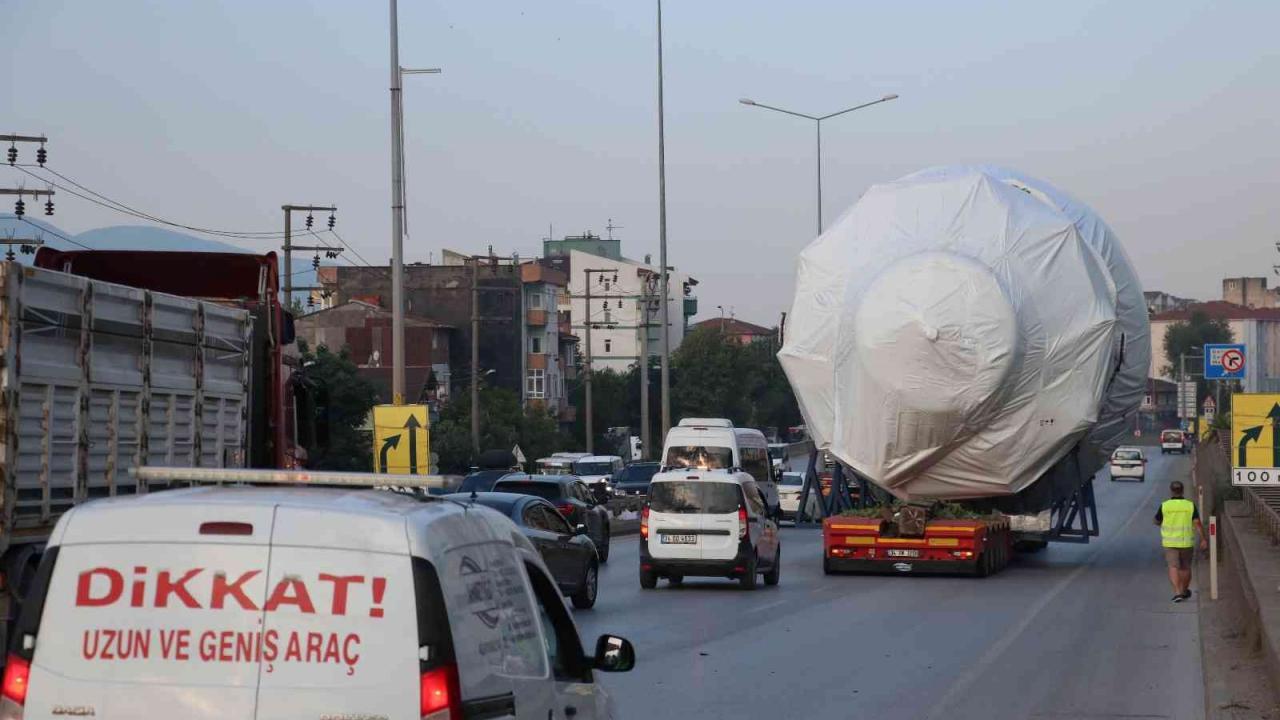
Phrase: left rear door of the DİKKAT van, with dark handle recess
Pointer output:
(154, 614)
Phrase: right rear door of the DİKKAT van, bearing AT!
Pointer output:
(341, 617)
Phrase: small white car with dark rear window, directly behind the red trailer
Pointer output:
(714, 525)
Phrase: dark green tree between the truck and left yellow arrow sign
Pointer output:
(342, 409)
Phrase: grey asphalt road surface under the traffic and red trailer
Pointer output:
(1081, 632)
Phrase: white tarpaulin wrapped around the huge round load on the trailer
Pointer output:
(959, 332)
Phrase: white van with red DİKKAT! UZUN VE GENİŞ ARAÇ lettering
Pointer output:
(280, 603)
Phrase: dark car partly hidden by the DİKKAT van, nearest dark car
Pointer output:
(569, 553)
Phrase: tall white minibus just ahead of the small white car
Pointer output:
(715, 444)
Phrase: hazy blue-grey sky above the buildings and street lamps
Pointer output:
(1162, 116)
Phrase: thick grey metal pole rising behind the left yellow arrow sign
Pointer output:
(399, 229)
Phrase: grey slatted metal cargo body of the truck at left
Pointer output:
(98, 379)
